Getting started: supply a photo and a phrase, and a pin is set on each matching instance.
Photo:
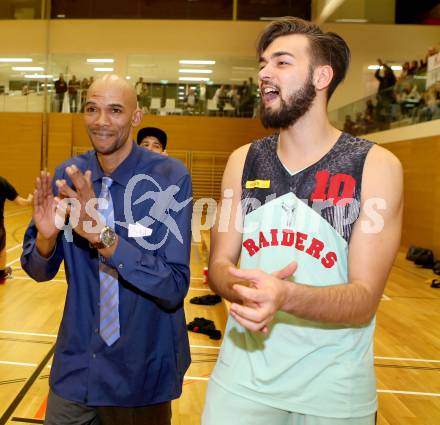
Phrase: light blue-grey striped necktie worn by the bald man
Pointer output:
(108, 277)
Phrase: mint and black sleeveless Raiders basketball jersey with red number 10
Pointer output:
(301, 365)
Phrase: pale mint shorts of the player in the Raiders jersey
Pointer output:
(225, 408)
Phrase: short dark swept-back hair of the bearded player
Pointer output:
(326, 48)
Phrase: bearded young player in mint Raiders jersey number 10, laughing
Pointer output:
(314, 250)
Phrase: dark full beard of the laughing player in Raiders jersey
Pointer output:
(291, 110)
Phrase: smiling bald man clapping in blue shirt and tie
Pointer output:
(122, 348)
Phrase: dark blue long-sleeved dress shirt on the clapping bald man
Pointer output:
(147, 364)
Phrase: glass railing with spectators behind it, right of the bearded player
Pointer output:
(407, 103)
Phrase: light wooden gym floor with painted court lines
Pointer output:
(407, 341)
